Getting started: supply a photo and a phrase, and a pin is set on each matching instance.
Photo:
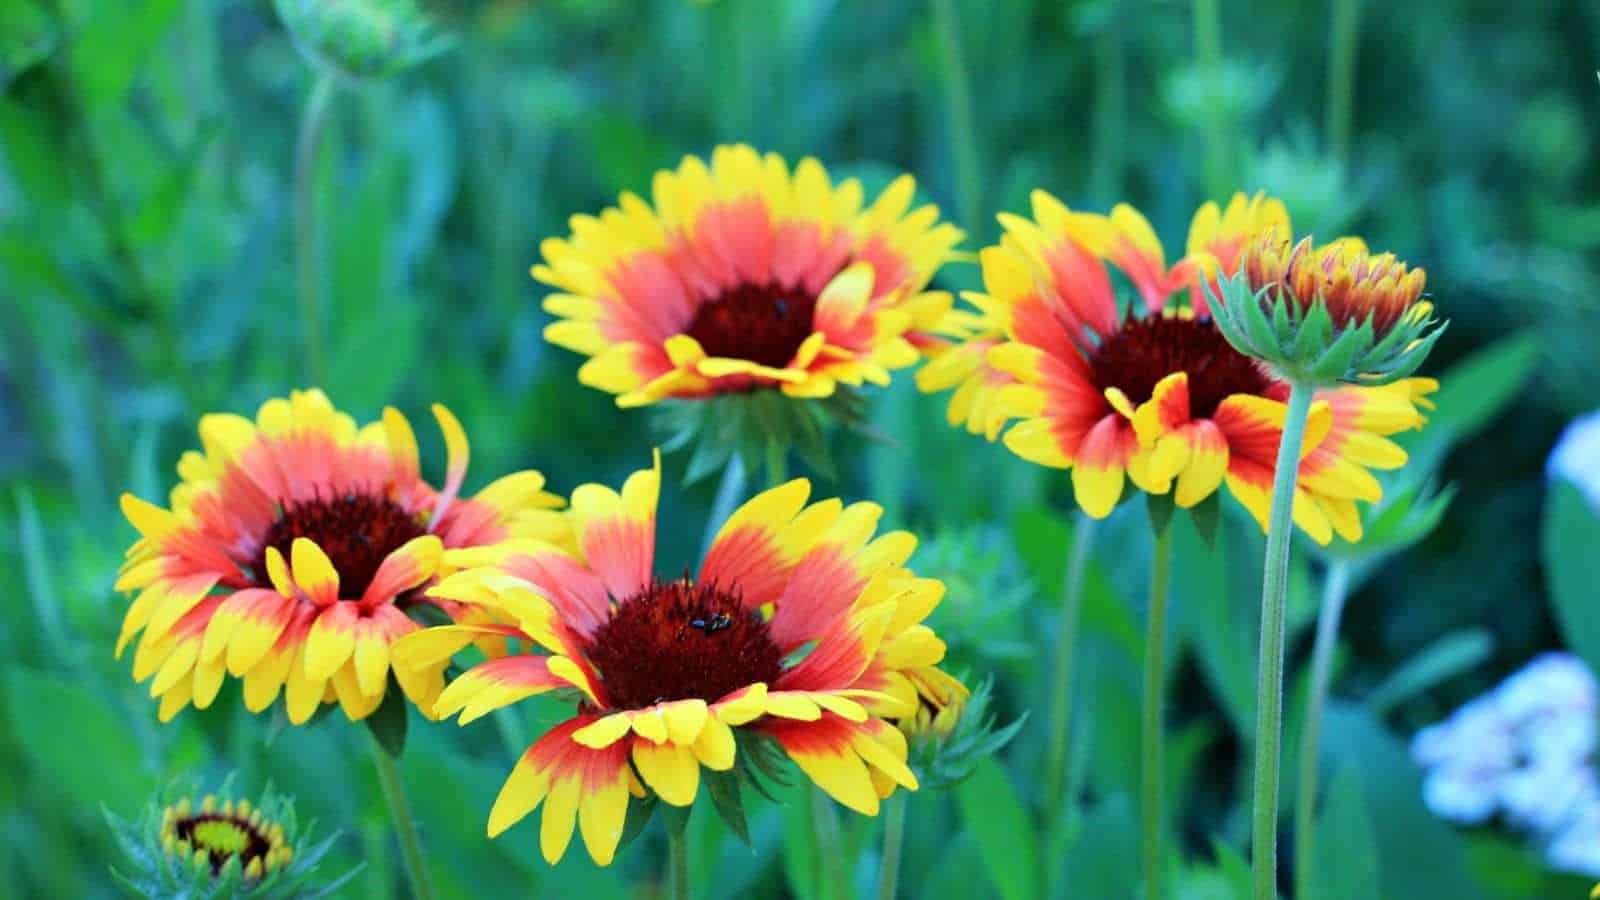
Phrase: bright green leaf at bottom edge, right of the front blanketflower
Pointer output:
(994, 813)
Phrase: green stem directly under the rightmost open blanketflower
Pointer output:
(1151, 757)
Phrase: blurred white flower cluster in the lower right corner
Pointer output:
(1524, 752)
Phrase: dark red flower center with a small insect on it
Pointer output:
(681, 641)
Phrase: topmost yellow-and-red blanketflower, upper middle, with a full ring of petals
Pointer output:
(746, 275)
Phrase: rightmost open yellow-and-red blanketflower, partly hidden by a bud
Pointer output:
(1158, 395)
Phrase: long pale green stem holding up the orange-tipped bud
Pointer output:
(1270, 678)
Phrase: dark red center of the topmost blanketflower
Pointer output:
(764, 324)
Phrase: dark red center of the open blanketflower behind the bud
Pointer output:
(1151, 348)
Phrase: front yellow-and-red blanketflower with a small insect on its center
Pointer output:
(801, 627)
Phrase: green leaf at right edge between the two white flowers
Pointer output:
(1572, 532)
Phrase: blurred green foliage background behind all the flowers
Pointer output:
(148, 276)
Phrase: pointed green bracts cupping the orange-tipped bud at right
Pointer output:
(1302, 344)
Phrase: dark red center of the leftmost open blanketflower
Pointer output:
(356, 531)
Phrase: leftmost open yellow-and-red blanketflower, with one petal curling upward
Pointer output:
(294, 552)
